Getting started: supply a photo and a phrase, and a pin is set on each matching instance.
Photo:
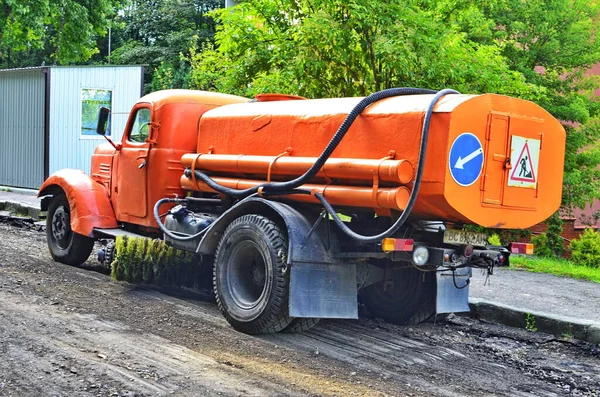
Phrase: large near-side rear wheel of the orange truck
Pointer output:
(250, 276)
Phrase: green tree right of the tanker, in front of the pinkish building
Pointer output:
(552, 43)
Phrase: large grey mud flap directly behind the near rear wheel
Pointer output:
(323, 291)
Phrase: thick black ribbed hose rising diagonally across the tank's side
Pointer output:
(272, 187)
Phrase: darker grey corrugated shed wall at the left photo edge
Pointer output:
(22, 128)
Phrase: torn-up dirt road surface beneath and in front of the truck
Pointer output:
(66, 331)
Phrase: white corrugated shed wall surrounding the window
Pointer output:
(68, 149)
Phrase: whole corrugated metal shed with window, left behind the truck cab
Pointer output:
(48, 117)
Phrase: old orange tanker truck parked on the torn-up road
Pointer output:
(304, 208)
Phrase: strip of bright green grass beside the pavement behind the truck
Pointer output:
(558, 267)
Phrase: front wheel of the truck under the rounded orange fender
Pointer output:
(65, 245)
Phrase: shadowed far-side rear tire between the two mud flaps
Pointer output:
(411, 300)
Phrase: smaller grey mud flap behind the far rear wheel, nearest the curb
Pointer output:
(451, 299)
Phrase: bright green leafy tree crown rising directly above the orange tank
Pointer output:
(339, 48)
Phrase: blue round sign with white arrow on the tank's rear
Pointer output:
(466, 159)
